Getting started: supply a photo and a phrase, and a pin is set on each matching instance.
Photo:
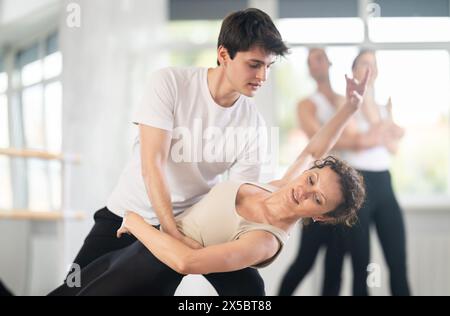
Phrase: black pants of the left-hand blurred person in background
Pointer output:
(313, 237)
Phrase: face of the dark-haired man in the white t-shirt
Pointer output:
(248, 70)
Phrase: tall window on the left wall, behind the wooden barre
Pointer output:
(31, 114)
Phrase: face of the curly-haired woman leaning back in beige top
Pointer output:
(313, 194)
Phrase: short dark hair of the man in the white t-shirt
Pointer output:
(245, 29)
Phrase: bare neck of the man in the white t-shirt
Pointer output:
(220, 88)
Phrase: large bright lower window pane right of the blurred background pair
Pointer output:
(421, 105)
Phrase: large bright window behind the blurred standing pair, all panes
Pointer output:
(416, 76)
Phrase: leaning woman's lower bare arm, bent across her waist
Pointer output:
(252, 248)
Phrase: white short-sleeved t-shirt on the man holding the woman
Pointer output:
(207, 141)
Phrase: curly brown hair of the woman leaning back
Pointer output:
(353, 191)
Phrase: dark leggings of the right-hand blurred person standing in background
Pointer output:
(381, 208)
